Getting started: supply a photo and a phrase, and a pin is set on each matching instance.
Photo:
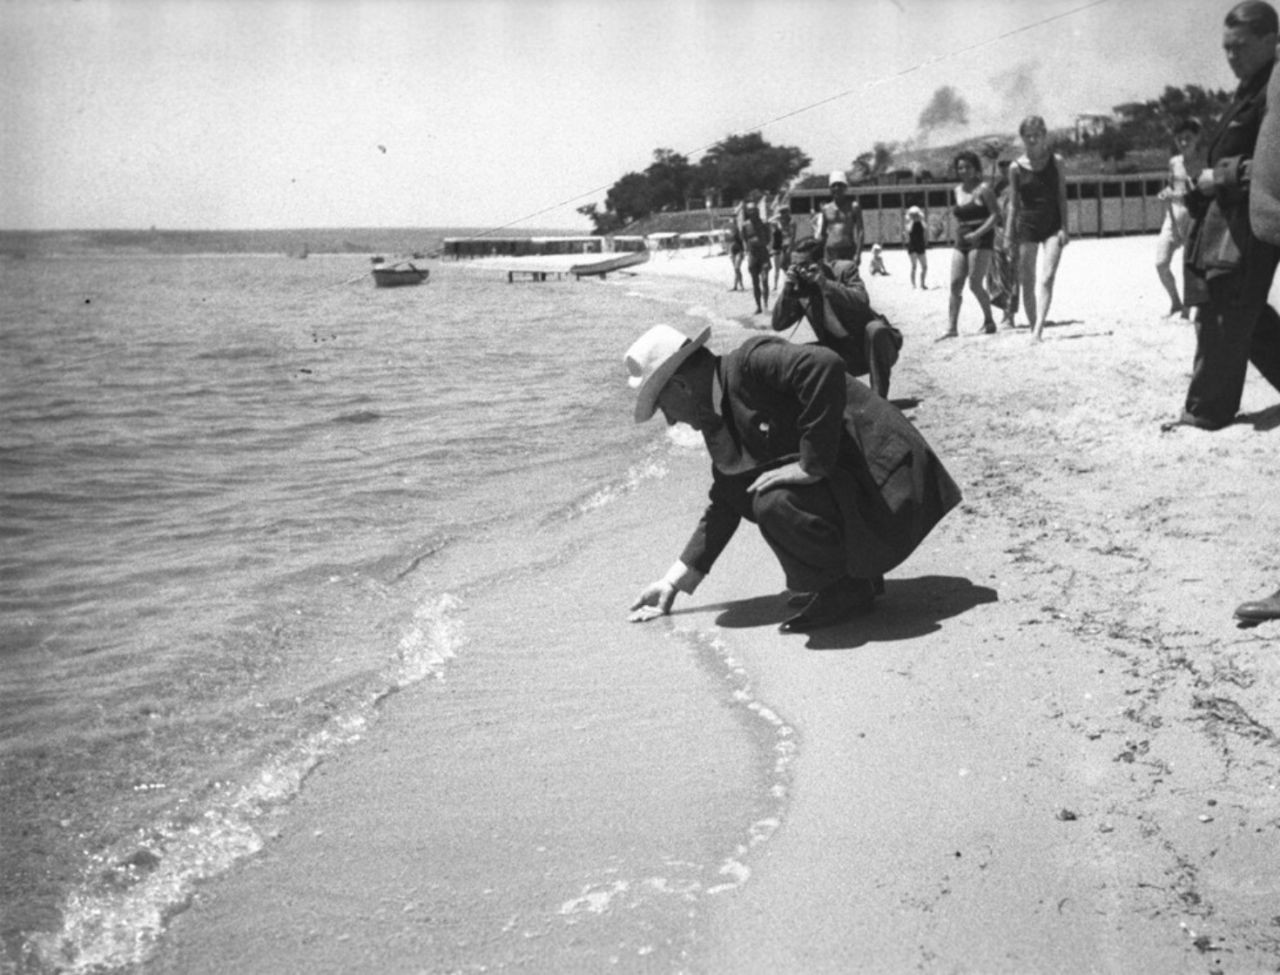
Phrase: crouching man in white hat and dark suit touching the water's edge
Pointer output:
(842, 486)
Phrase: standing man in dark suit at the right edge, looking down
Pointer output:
(1228, 271)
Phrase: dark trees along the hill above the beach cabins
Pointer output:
(738, 166)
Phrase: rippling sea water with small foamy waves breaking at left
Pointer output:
(225, 480)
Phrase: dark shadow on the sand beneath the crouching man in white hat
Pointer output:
(909, 608)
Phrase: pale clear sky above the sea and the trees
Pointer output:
(190, 115)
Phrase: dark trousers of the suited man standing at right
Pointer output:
(1236, 327)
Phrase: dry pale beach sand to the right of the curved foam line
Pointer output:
(1050, 749)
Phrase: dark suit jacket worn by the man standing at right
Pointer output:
(1220, 241)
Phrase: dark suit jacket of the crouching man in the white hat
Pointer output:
(785, 402)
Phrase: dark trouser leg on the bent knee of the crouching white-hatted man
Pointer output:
(803, 525)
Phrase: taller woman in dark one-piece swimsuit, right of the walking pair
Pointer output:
(1037, 219)
